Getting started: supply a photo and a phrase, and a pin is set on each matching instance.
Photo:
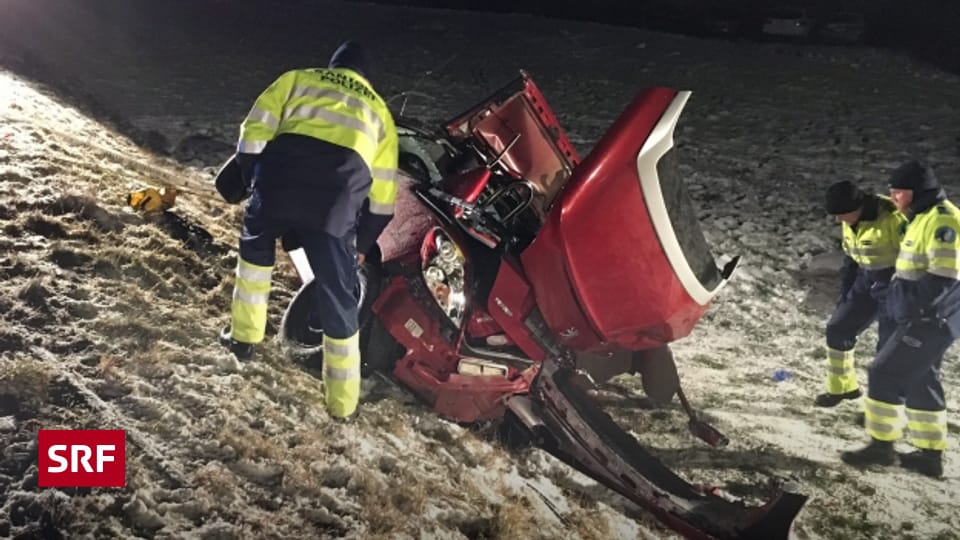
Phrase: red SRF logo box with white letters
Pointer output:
(82, 458)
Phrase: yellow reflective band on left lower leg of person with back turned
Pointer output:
(249, 308)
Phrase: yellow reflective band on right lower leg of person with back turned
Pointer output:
(341, 374)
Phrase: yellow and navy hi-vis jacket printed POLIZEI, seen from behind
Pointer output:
(325, 148)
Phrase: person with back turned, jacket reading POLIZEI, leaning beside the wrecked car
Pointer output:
(318, 153)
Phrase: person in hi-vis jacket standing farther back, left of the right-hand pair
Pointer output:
(871, 227)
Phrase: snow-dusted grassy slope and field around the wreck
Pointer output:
(109, 319)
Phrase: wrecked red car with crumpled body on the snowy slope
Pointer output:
(515, 273)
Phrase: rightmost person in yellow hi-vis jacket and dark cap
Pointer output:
(924, 299)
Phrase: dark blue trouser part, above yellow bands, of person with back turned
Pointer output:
(332, 260)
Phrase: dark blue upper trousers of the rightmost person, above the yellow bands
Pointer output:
(907, 368)
